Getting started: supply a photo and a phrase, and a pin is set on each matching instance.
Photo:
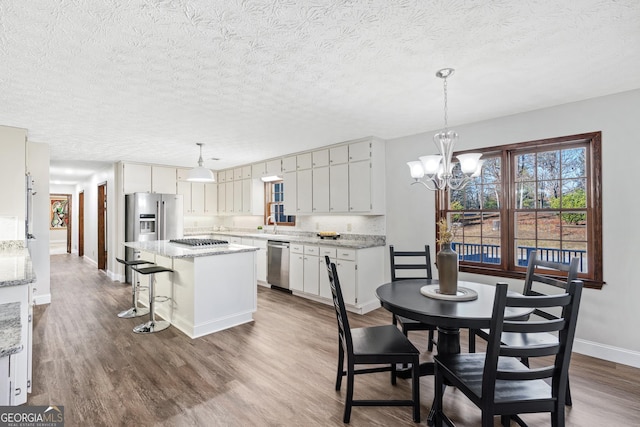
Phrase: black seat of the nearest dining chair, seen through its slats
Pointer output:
(469, 367)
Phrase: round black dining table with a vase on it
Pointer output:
(404, 298)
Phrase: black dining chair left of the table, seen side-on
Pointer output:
(373, 345)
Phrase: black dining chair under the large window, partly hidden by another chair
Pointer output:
(533, 284)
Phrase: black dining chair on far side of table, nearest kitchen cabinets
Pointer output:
(414, 261)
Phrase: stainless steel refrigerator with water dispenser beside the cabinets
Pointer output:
(149, 217)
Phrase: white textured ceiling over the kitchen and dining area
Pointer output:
(144, 80)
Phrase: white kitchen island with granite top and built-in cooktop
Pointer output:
(212, 288)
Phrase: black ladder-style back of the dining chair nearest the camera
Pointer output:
(564, 325)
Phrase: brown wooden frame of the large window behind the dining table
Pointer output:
(508, 267)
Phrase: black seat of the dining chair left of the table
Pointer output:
(375, 342)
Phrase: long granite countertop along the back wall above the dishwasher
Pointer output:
(353, 241)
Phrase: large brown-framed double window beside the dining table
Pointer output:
(538, 195)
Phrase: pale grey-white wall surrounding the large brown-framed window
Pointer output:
(608, 322)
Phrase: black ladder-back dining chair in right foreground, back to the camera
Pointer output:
(497, 381)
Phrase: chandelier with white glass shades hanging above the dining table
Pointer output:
(436, 171)
